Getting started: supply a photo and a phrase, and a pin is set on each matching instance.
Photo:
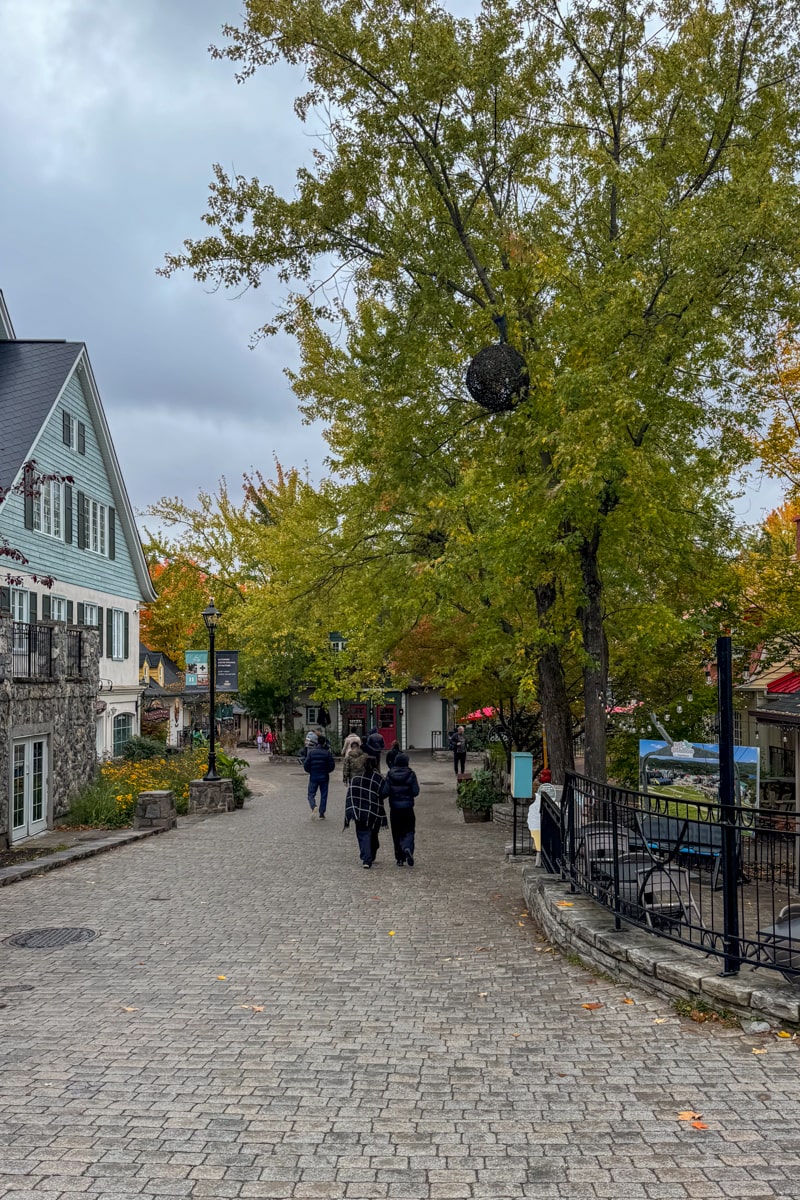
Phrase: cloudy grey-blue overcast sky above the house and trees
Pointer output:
(112, 115)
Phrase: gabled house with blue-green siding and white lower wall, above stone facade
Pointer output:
(82, 533)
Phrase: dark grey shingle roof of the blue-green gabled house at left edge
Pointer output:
(32, 376)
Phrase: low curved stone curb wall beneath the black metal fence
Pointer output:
(631, 956)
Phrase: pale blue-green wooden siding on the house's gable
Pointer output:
(51, 556)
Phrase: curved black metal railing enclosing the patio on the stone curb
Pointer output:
(724, 880)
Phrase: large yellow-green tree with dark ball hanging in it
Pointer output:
(611, 189)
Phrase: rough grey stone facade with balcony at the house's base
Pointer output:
(59, 709)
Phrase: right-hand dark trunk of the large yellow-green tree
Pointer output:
(596, 673)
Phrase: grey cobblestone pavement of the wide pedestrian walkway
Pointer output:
(260, 1017)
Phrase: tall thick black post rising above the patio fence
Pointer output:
(729, 811)
